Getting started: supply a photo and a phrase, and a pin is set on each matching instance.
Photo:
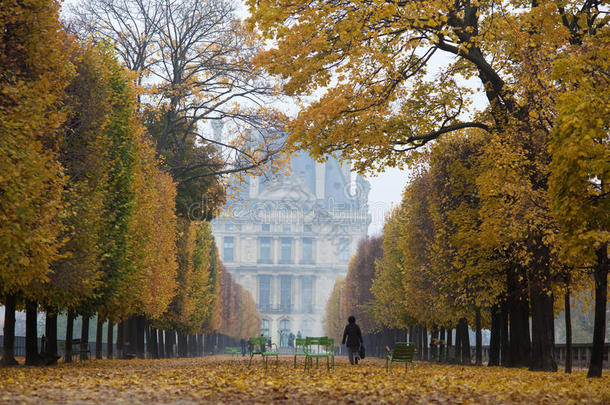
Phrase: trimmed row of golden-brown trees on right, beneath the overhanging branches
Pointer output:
(447, 260)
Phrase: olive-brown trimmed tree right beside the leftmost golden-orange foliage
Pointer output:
(83, 153)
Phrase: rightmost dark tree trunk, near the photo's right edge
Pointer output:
(599, 326)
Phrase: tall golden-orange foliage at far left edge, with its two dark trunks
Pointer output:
(34, 71)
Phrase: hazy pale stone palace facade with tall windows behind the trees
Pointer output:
(287, 240)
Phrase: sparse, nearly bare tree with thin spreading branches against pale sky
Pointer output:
(195, 60)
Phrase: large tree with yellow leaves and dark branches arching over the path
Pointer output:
(378, 94)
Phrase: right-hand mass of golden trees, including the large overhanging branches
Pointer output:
(515, 203)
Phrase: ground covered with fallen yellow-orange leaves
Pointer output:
(226, 380)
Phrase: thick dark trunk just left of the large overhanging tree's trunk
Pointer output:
(518, 309)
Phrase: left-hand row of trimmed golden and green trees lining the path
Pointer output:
(92, 219)
